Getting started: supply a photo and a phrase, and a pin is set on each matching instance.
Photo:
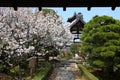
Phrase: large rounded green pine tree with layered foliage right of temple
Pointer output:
(101, 40)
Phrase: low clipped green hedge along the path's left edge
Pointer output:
(44, 73)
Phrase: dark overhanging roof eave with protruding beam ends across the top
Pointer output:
(60, 3)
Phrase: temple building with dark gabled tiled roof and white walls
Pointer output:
(76, 26)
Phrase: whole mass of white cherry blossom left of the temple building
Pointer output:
(25, 31)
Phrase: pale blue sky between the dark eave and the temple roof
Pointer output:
(87, 15)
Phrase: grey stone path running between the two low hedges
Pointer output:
(67, 70)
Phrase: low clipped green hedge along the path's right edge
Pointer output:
(86, 73)
